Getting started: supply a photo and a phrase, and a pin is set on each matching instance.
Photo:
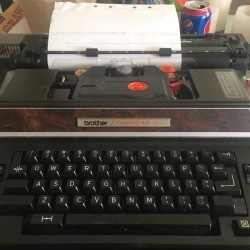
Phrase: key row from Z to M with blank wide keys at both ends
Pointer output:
(218, 205)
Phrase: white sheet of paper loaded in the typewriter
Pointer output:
(115, 27)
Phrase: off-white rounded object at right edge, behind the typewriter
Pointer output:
(241, 21)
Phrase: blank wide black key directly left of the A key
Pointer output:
(16, 187)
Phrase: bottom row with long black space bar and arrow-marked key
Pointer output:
(120, 224)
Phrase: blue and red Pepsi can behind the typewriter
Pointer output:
(196, 18)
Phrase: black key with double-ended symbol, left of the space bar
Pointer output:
(46, 223)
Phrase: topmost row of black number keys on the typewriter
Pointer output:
(128, 156)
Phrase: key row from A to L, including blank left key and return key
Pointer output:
(121, 186)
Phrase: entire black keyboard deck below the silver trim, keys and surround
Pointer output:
(124, 193)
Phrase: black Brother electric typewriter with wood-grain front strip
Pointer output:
(126, 157)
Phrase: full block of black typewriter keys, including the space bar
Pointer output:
(159, 189)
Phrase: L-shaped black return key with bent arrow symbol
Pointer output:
(230, 186)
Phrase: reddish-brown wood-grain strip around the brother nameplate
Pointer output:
(182, 120)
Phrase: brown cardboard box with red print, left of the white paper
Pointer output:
(31, 16)
